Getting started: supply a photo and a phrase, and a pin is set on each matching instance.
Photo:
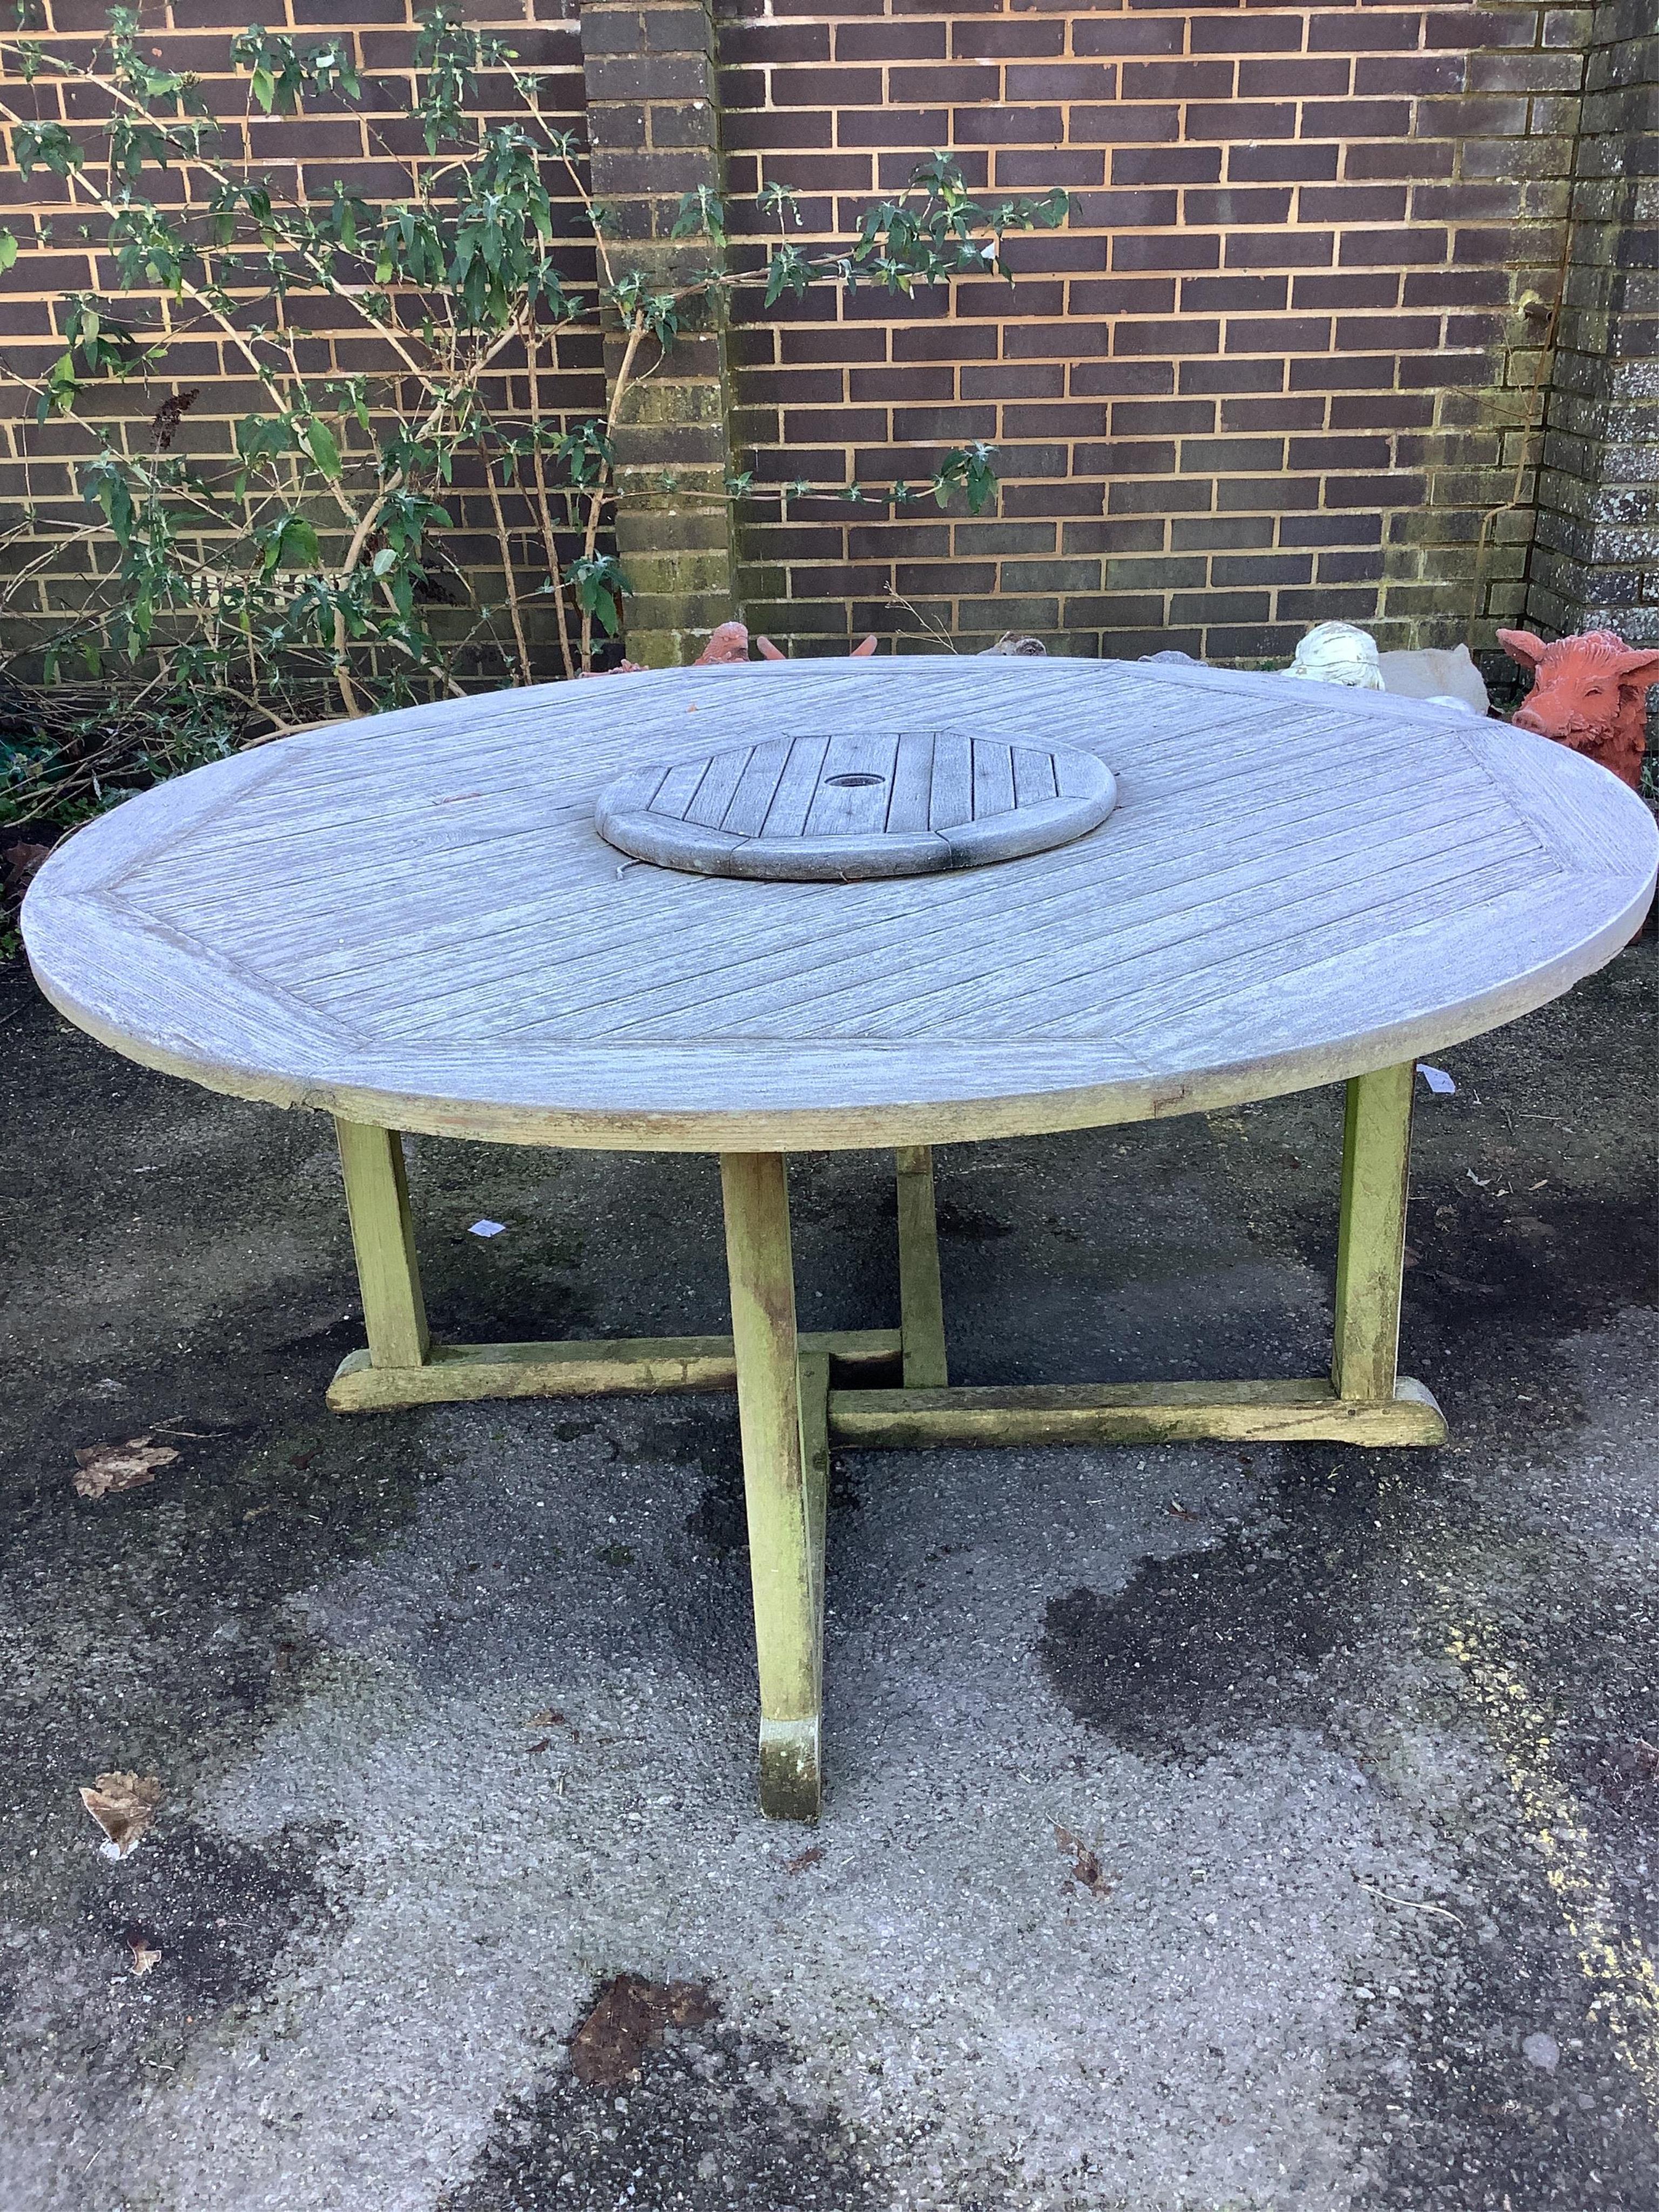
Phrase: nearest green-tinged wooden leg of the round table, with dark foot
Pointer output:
(778, 1483)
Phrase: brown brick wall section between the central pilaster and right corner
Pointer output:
(1273, 373)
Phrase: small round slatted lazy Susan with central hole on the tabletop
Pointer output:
(855, 806)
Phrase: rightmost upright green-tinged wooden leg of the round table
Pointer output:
(1370, 1249)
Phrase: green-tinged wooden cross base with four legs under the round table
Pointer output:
(802, 1392)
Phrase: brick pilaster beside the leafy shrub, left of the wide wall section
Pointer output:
(654, 127)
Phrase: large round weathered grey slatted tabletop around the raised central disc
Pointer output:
(413, 921)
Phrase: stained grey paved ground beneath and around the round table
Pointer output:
(1207, 1830)
